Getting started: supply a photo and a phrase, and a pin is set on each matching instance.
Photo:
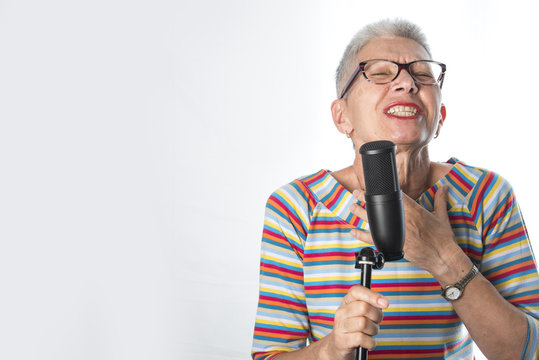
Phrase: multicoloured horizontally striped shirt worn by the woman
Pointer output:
(307, 266)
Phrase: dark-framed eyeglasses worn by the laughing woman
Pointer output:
(426, 72)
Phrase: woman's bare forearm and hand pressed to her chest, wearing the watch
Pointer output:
(499, 328)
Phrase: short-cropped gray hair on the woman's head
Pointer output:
(396, 27)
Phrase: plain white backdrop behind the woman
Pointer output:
(140, 139)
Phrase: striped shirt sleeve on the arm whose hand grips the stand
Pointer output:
(282, 322)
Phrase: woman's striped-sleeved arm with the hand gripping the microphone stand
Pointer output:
(282, 323)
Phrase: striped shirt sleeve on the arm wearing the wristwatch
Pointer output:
(508, 260)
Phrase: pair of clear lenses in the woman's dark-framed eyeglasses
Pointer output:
(424, 72)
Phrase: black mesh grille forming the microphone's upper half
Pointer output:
(379, 167)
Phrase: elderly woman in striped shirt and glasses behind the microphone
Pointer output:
(459, 219)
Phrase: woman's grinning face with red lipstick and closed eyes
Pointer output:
(401, 111)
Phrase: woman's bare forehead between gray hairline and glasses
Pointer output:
(393, 48)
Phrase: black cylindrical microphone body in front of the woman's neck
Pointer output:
(384, 198)
